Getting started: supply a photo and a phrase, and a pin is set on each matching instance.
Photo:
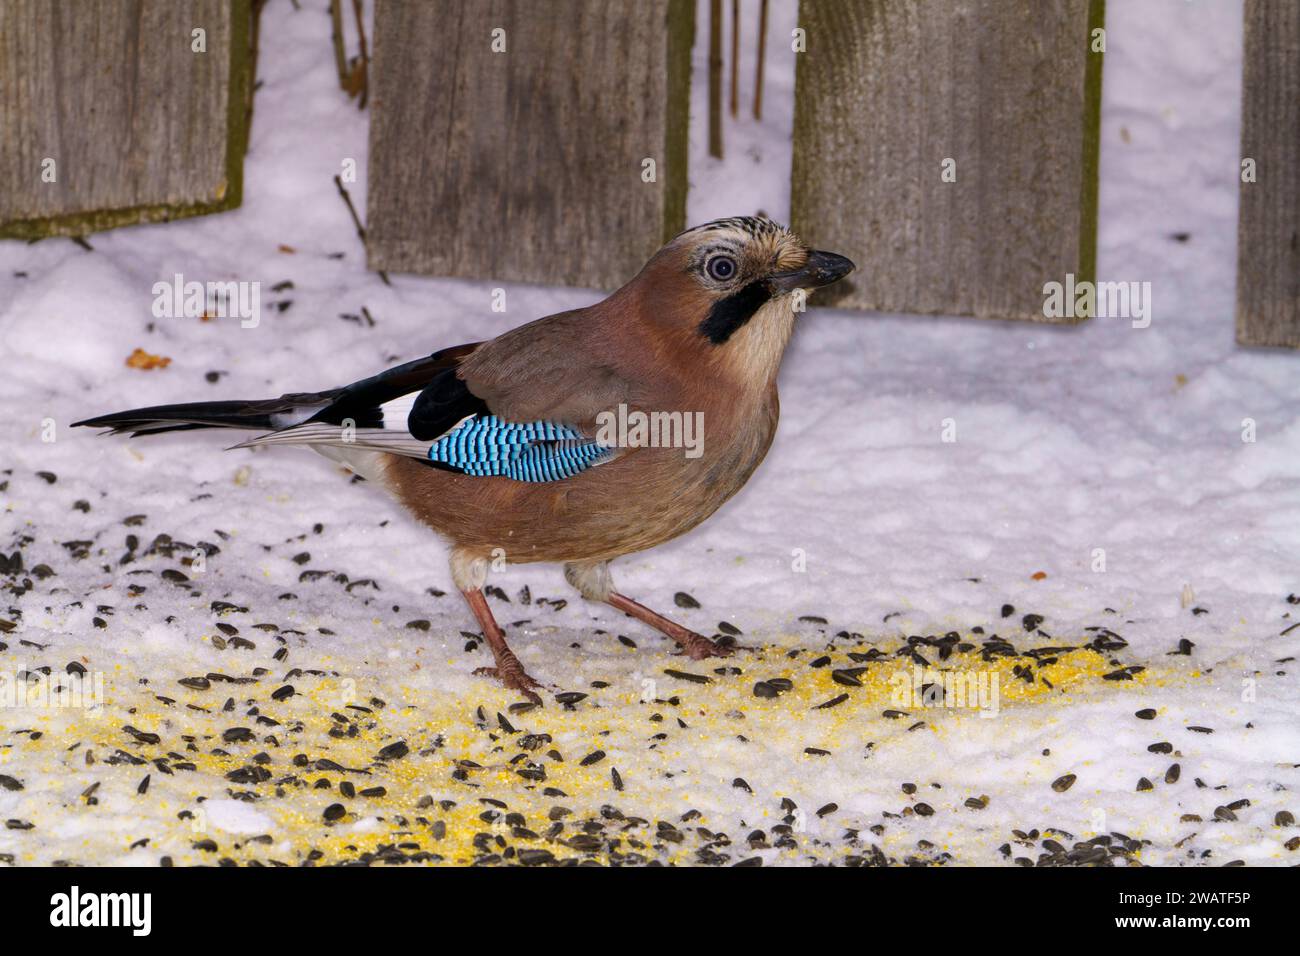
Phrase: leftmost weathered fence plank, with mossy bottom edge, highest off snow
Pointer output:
(111, 102)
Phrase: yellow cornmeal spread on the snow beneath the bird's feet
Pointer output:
(614, 720)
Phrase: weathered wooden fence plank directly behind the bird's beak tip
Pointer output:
(1003, 93)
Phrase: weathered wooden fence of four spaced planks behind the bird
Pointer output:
(948, 148)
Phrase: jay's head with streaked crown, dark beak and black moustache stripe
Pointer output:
(733, 288)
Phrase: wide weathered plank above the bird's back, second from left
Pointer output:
(527, 165)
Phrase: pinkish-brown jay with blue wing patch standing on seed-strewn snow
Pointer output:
(540, 445)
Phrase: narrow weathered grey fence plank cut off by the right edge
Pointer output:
(1268, 231)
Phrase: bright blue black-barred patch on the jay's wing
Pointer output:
(526, 452)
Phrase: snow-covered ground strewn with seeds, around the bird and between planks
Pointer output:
(1099, 479)
